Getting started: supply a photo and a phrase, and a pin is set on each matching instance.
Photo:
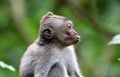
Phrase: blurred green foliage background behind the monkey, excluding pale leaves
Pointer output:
(97, 21)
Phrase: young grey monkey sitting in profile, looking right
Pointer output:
(52, 54)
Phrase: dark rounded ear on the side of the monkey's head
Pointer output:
(47, 34)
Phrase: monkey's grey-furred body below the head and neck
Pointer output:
(49, 61)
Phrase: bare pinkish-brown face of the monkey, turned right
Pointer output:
(66, 34)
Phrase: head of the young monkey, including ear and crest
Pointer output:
(57, 30)
